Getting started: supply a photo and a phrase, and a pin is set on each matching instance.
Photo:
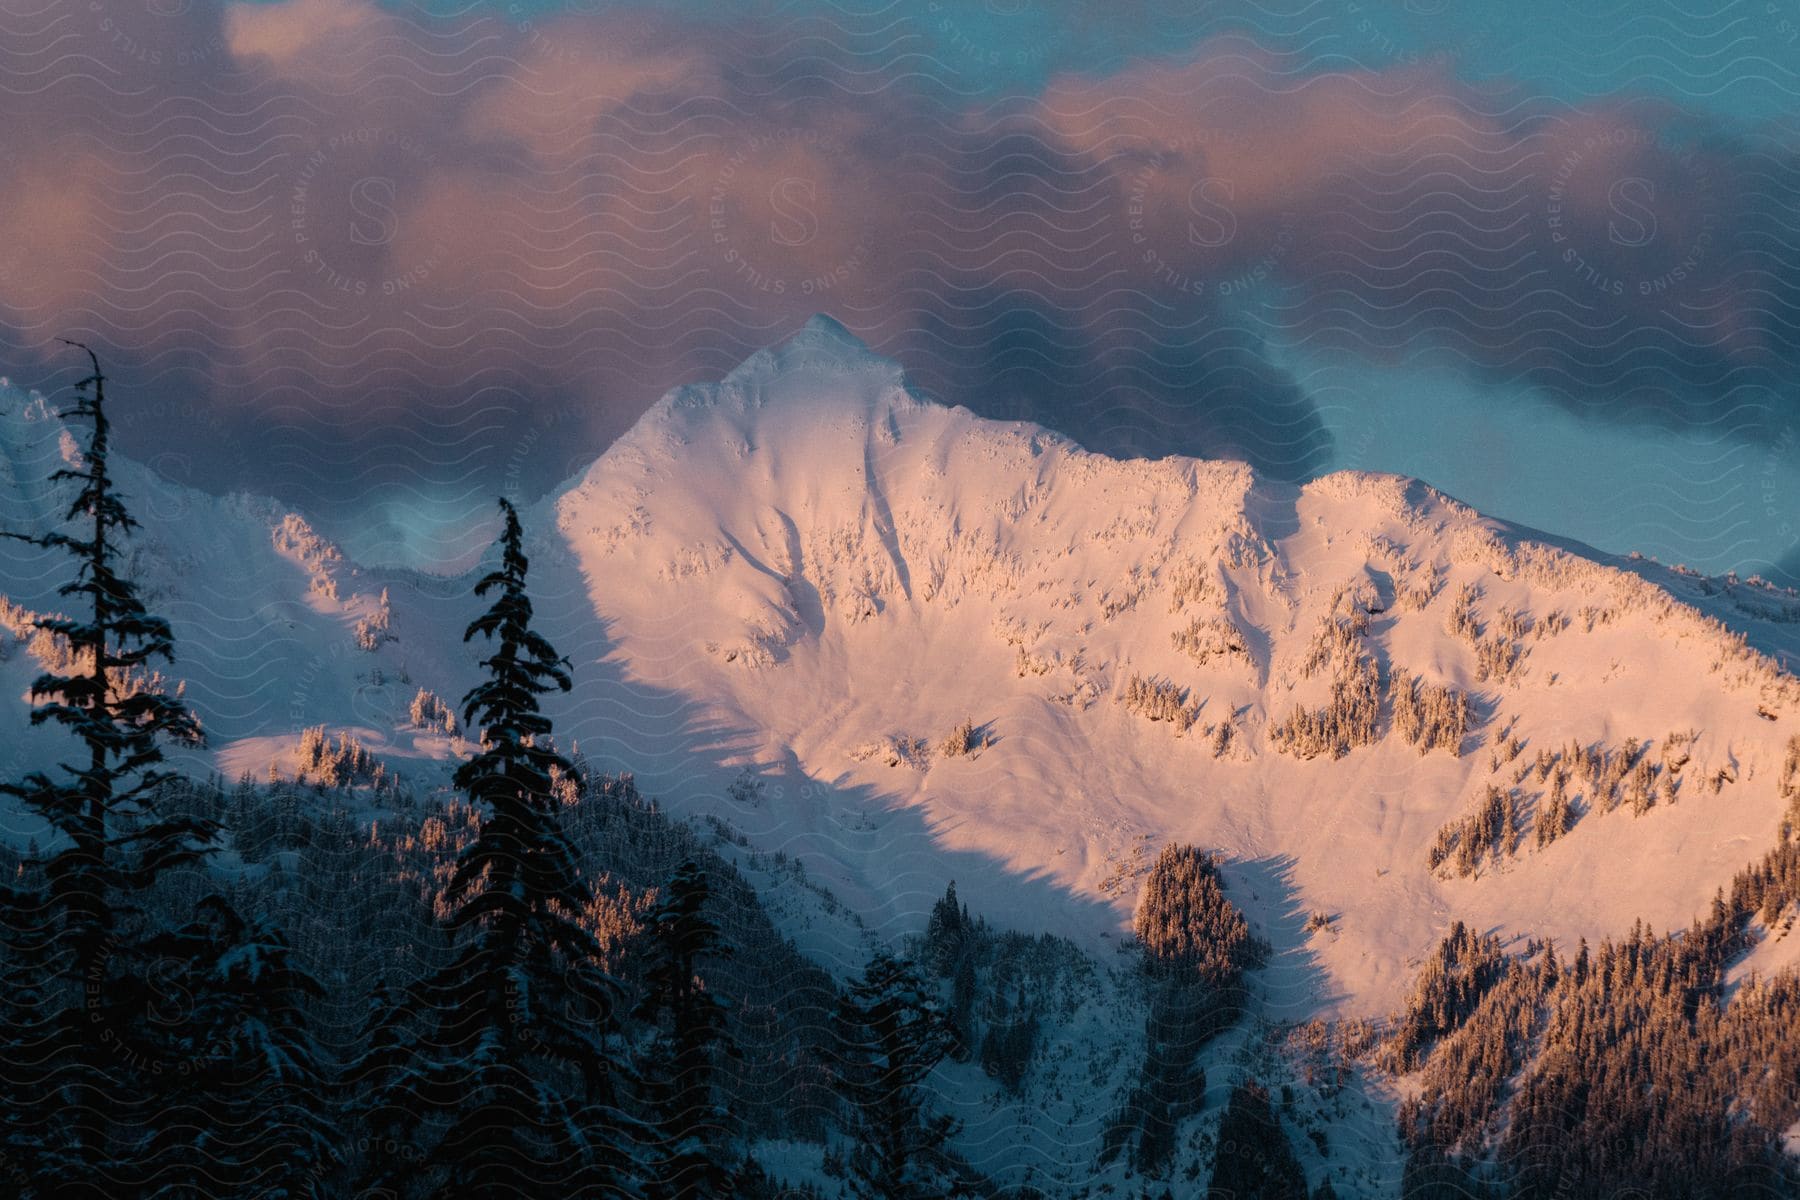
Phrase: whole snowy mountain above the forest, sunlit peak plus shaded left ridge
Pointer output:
(786, 595)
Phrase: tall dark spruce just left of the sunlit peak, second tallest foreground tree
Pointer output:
(516, 1082)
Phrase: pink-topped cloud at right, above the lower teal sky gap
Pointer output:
(1617, 258)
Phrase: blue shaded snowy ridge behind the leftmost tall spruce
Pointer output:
(265, 611)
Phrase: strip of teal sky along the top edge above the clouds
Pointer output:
(1740, 58)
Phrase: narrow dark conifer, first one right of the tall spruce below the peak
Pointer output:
(690, 1125)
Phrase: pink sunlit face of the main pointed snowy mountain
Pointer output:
(834, 573)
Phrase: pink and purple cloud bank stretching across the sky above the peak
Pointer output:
(402, 255)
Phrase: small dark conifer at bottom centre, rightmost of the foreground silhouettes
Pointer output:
(892, 1039)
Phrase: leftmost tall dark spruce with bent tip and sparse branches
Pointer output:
(80, 1086)
